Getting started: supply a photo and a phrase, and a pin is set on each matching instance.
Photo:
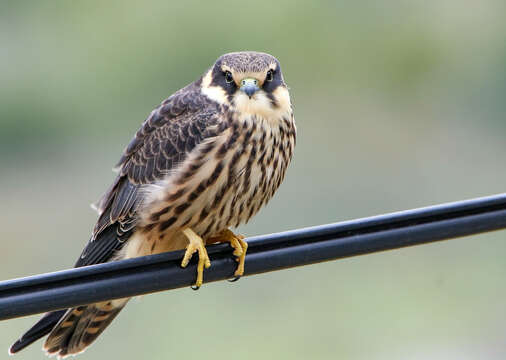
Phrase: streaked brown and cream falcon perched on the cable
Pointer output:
(204, 161)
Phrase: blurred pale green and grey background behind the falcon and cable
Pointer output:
(399, 104)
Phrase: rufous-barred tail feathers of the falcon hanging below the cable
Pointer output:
(80, 326)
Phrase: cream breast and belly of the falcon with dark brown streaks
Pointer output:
(227, 179)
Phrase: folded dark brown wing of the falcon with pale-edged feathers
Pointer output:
(170, 132)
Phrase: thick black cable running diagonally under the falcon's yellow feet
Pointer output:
(69, 288)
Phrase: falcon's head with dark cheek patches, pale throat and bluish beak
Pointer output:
(248, 82)
